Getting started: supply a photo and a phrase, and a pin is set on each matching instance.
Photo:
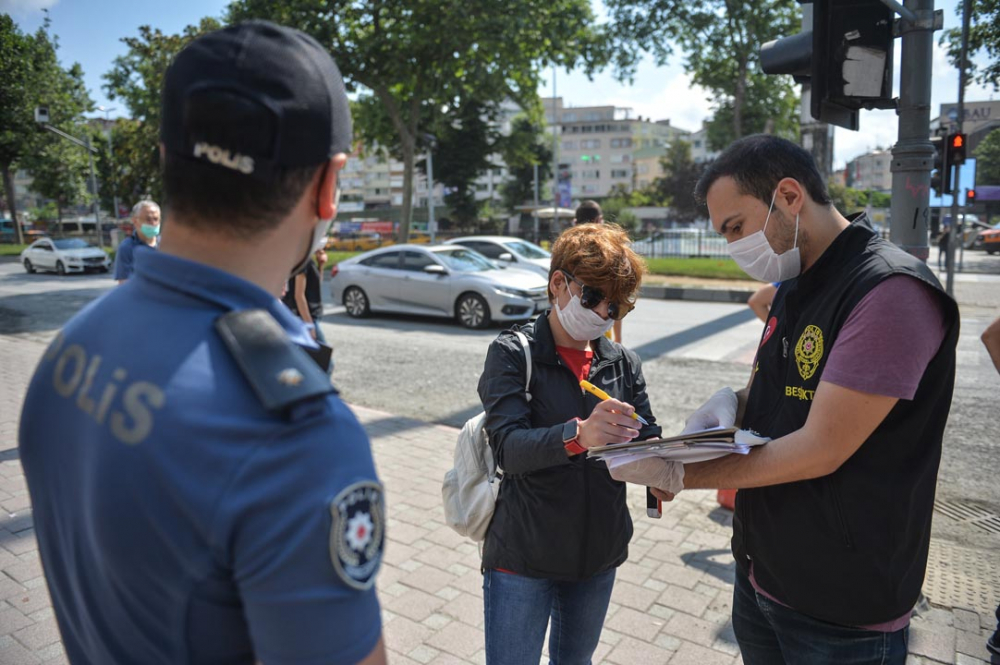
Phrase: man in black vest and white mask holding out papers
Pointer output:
(852, 382)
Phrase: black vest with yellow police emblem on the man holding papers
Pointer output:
(849, 548)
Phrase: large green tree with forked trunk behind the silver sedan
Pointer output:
(417, 57)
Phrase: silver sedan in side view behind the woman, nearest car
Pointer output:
(436, 280)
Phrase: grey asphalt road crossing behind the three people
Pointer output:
(429, 368)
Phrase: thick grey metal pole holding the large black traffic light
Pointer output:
(912, 156)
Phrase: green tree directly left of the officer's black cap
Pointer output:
(136, 79)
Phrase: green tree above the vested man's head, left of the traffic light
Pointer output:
(720, 40)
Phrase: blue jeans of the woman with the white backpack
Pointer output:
(518, 609)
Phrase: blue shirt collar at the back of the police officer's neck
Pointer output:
(218, 287)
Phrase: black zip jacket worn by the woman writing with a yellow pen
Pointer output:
(557, 517)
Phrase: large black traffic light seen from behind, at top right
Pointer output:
(846, 58)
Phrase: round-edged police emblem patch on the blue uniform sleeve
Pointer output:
(357, 533)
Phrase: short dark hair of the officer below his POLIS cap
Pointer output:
(216, 198)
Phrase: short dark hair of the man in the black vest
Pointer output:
(757, 163)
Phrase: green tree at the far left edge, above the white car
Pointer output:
(31, 76)
